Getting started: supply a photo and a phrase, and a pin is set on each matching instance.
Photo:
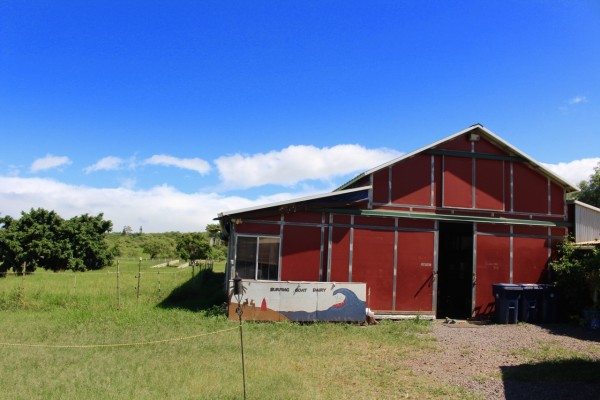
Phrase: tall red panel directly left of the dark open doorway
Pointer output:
(415, 271)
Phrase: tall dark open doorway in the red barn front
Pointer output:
(455, 270)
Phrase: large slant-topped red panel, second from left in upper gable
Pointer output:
(411, 181)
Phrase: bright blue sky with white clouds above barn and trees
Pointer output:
(198, 103)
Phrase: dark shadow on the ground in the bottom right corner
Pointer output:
(557, 379)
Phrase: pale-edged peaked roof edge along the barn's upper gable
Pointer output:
(490, 135)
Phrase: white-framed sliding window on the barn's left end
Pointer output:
(257, 257)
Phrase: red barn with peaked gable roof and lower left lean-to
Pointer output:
(429, 232)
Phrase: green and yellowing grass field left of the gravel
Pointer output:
(283, 360)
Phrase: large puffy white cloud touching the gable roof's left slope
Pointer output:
(294, 164)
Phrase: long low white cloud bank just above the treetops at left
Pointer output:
(159, 209)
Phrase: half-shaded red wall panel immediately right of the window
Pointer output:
(300, 253)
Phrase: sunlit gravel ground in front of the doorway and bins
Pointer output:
(474, 356)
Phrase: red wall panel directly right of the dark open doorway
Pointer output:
(493, 266)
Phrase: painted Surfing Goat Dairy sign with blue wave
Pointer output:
(300, 301)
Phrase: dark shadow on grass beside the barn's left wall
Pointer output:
(202, 292)
